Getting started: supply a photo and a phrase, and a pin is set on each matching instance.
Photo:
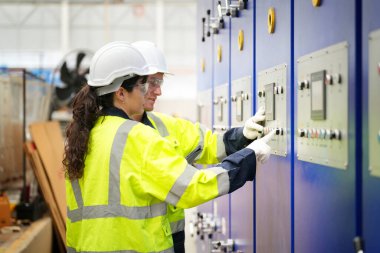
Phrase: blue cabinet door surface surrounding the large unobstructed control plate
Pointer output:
(324, 197)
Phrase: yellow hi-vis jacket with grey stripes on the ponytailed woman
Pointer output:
(131, 173)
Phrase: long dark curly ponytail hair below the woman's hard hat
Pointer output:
(87, 108)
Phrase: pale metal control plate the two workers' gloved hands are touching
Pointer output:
(272, 94)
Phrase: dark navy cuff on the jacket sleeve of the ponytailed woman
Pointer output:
(241, 168)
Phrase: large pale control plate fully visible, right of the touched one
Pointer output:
(322, 106)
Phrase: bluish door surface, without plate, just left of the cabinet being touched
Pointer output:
(242, 65)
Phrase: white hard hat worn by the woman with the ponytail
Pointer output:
(115, 62)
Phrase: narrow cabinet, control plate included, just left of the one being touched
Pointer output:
(242, 103)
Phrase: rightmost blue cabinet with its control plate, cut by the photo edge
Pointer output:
(370, 220)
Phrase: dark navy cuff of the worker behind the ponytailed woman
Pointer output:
(234, 140)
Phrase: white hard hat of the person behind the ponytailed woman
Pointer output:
(153, 55)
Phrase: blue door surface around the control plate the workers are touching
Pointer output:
(273, 220)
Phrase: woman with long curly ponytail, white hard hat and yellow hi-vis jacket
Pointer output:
(122, 174)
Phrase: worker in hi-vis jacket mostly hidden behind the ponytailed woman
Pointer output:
(192, 140)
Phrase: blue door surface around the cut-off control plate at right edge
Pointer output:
(371, 185)
